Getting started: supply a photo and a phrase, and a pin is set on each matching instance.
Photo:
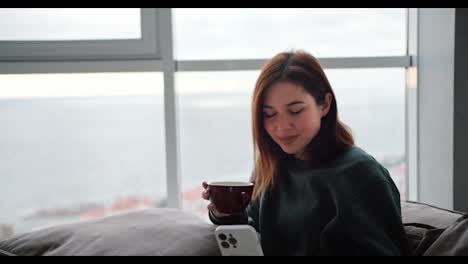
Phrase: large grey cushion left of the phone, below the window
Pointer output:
(154, 232)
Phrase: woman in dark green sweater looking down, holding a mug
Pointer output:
(315, 192)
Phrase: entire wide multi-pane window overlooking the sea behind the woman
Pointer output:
(85, 115)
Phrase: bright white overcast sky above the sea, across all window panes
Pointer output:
(209, 34)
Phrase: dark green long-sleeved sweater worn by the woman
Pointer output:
(348, 207)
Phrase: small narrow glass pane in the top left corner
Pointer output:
(49, 24)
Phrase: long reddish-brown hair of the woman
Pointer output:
(302, 69)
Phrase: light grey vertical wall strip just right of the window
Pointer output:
(436, 28)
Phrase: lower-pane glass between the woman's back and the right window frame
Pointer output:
(374, 109)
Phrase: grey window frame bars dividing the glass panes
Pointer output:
(155, 52)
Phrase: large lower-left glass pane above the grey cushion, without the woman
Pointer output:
(79, 146)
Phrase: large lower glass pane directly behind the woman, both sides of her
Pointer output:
(215, 123)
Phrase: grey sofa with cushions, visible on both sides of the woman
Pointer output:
(173, 232)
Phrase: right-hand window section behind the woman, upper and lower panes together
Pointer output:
(215, 106)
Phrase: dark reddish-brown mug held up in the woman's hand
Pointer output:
(230, 197)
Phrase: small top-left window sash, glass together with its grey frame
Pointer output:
(78, 34)
